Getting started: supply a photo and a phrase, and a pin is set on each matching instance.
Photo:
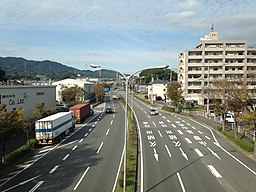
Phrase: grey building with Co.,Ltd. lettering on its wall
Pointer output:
(27, 97)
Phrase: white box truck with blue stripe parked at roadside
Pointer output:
(53, 127)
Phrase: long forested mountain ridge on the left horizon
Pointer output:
(17, 67)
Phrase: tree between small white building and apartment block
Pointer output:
(174, 92)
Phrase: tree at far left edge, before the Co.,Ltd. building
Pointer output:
(10, 123)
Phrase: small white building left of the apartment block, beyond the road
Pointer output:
(156, 89)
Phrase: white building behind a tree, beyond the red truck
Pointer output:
(83, 83)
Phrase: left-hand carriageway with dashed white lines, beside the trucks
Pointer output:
(87, 160)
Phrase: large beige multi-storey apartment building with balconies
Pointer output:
(212, 59)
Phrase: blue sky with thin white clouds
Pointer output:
(125, 35)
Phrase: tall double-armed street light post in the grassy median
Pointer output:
(127, 78)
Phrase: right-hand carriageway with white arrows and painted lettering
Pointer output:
(179, 154)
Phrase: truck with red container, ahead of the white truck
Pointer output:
(80, 111)
